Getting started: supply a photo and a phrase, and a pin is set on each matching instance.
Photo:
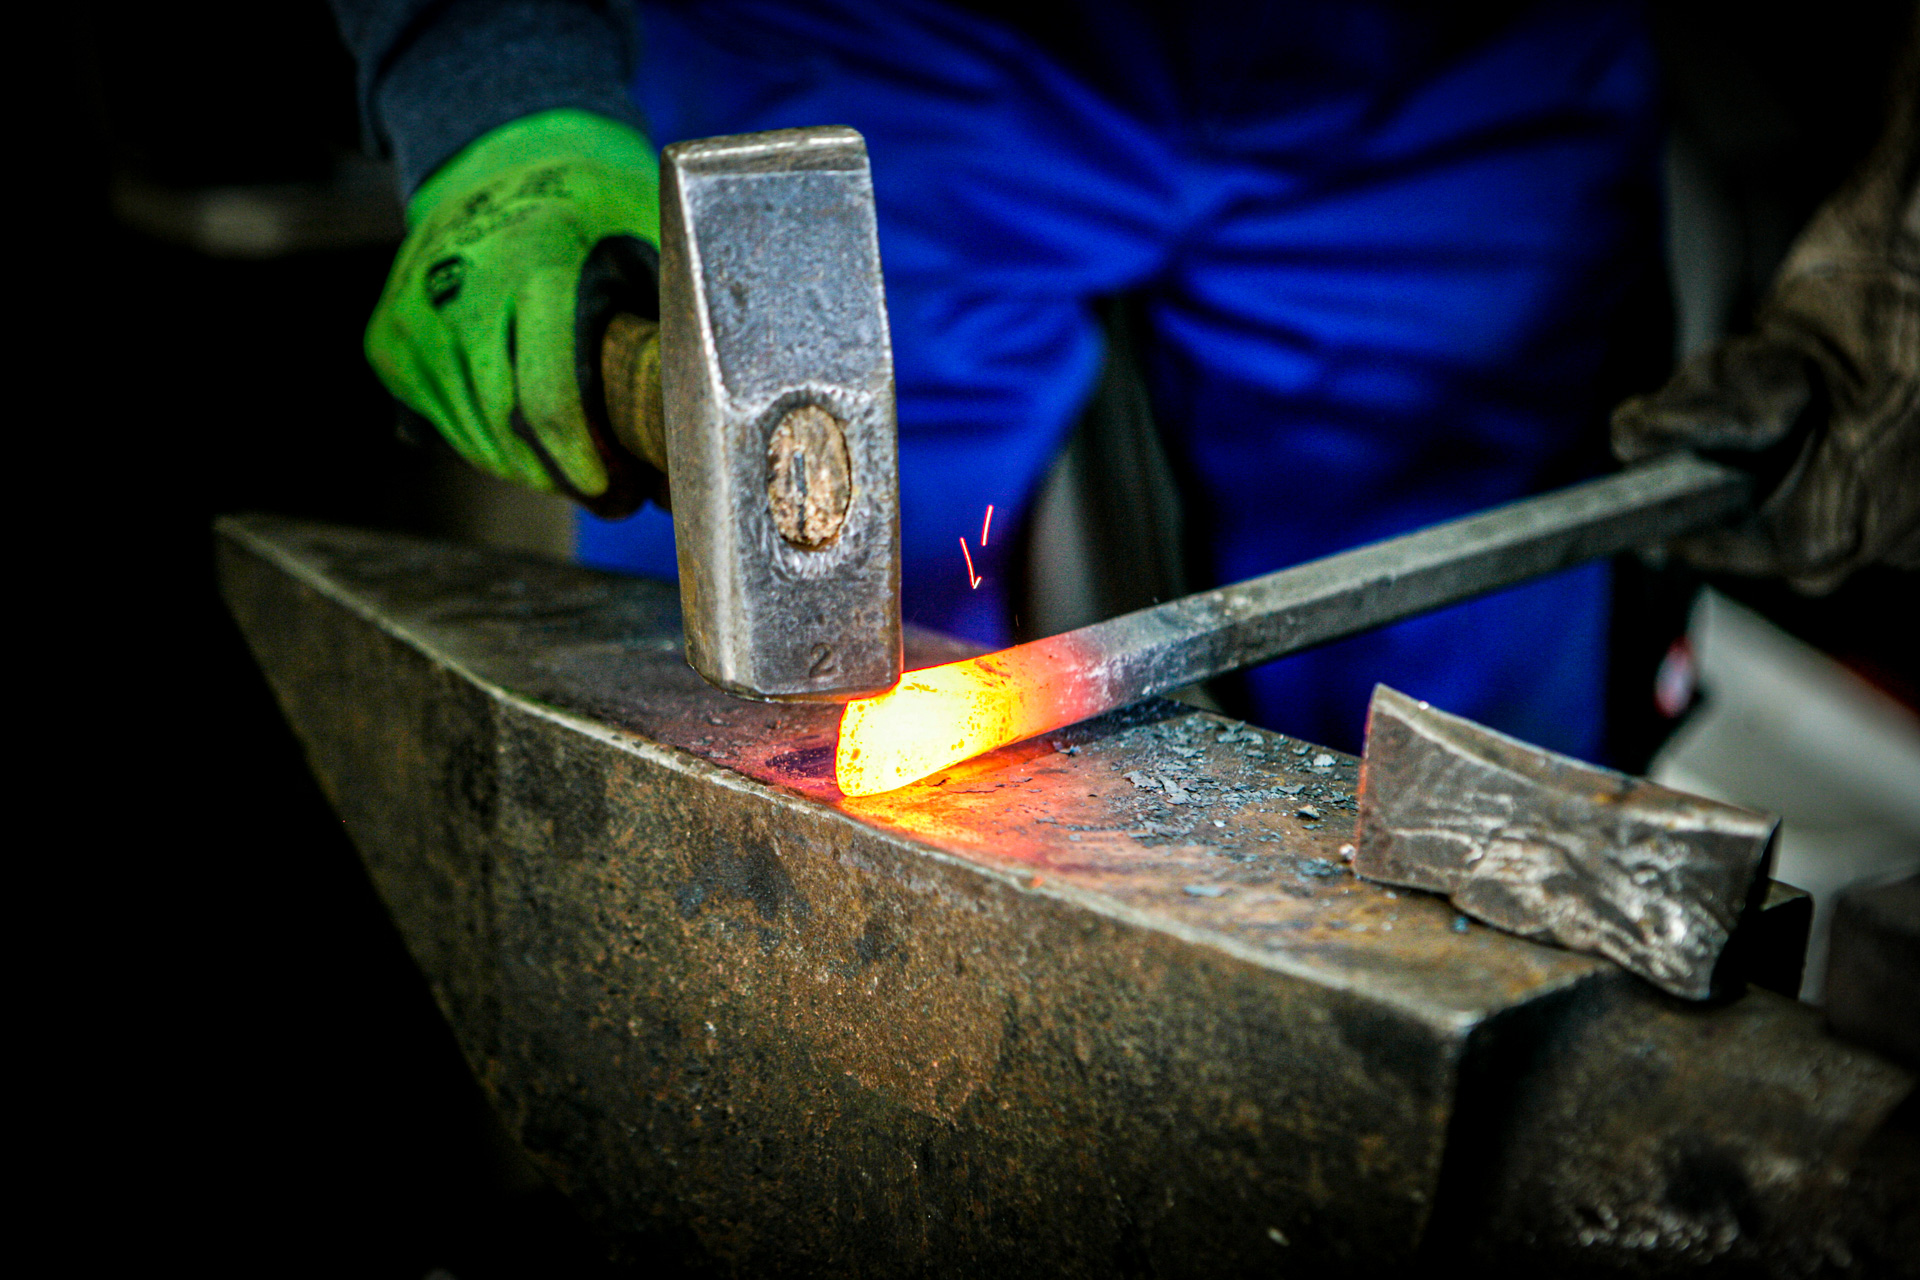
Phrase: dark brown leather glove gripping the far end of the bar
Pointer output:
(1823, 402)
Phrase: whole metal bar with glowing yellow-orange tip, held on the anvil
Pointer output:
(946, 715)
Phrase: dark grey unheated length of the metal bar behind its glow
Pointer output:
(1245, 625)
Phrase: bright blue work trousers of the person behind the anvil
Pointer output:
(1380, 254)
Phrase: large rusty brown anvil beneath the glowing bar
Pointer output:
(1095, 1005)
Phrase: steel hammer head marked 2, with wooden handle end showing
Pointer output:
(777, 375)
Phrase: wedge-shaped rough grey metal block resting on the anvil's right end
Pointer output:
(1554, 849)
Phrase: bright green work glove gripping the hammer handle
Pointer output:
(519, 252)
